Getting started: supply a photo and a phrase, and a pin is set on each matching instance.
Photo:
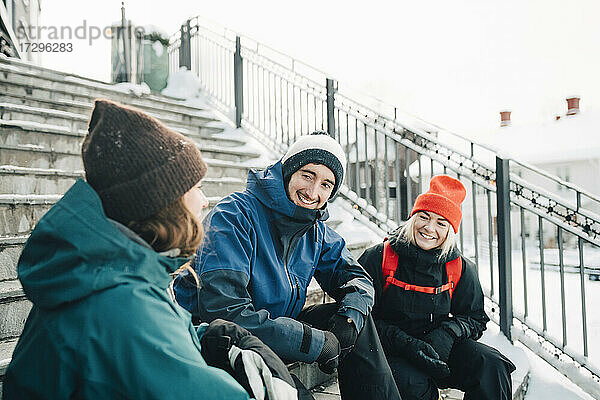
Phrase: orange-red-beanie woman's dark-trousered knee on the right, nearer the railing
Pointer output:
(480, 371)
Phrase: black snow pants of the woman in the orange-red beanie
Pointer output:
(480, 371)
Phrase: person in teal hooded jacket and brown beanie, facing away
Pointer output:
(97, 268)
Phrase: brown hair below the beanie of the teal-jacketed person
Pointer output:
(172, 227)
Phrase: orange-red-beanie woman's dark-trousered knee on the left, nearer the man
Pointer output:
(412, 383)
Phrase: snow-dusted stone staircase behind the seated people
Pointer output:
(43, 119)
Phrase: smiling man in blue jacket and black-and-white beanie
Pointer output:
(262, 248)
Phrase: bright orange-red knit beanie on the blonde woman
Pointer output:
(444, 197)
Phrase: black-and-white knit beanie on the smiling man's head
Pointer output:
(316, 148)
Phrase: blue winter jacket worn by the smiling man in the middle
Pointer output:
(259, 254)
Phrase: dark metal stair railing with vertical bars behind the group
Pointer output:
(514, 213)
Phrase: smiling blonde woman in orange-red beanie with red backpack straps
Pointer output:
(429, 304)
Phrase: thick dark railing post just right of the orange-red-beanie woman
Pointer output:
(504, 245)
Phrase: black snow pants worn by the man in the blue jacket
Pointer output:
(364, 373)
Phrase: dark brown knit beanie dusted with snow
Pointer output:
(137, 165)
